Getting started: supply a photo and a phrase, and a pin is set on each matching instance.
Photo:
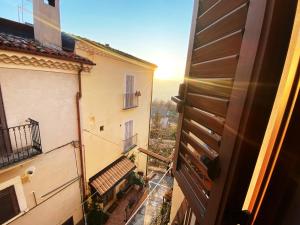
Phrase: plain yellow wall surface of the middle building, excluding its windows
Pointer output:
(102, 104)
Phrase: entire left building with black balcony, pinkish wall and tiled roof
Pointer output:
(40, 173)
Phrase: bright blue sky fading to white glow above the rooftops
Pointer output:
(154, 30)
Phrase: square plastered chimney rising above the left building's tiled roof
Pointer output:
(46, 22)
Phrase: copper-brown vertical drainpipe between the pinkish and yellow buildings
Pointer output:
(78, 97)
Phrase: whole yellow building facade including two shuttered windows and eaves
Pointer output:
(115, 108)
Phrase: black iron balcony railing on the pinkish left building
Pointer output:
(19, 143)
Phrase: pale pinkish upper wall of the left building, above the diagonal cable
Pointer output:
(46, 97)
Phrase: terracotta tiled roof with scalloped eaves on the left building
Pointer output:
(19, 44)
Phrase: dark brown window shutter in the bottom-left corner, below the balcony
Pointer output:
(9, 206)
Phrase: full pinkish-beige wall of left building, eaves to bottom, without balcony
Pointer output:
(48, 98)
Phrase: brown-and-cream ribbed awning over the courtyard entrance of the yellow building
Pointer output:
(111, 175)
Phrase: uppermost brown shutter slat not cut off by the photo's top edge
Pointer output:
(229, 23)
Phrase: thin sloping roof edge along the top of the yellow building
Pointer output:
(113, 50)
